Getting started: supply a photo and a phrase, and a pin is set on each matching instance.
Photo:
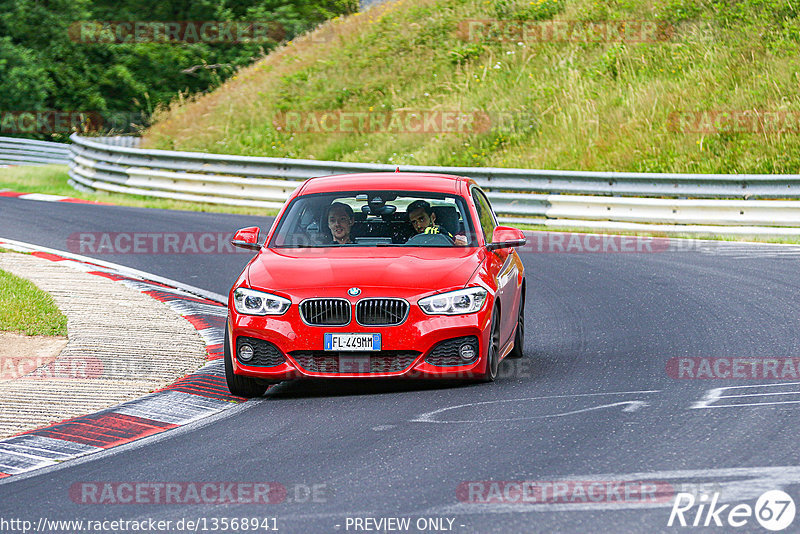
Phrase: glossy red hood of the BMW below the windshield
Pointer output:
(315, 269)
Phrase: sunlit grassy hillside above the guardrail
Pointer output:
(596, 104)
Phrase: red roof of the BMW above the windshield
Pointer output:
(402, 181)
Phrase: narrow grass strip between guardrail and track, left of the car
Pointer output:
(52, 179)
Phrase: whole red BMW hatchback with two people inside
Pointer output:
(374, 276)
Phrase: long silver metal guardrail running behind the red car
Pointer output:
(723, 203)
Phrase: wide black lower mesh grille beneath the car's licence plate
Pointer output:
(386, 361)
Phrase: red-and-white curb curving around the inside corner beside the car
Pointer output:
(193, 397)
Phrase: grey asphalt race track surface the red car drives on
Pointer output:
(591, 402)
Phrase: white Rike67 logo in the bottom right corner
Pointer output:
(774, 510)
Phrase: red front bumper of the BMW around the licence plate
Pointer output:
(404, 348)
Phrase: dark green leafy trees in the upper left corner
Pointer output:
(41, 68)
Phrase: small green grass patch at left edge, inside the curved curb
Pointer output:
(26, 309)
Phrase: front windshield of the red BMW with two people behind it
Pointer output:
(374, 219)
